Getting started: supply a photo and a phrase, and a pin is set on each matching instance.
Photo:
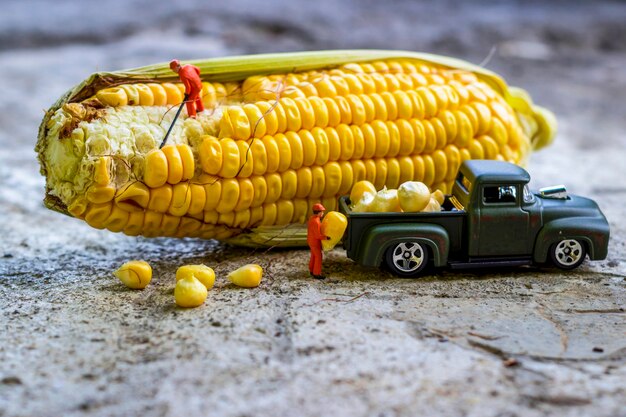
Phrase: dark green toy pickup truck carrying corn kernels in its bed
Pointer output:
(491, 219)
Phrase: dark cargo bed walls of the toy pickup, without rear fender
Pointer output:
(452, 220)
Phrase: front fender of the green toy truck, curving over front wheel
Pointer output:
(592, 231)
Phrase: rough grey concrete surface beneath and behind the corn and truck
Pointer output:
(518, 342)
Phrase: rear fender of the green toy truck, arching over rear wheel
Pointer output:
(382, 237)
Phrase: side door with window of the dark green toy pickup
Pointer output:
(499, 227)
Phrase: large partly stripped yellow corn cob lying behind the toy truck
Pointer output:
(281, 133)
